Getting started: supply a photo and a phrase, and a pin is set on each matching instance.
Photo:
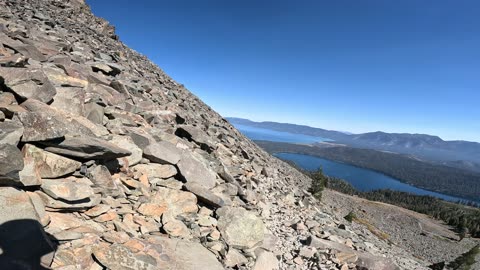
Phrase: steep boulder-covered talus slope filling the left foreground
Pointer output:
(107, 163)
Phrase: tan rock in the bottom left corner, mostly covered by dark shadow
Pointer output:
(19, 228)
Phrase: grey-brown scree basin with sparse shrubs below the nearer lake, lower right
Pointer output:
(430, 240)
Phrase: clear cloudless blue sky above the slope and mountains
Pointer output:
(396, 66)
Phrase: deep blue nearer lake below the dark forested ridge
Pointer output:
(361, 179)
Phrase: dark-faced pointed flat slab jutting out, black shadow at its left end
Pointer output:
(85, 148)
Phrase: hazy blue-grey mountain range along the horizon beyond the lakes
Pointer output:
(459, 154)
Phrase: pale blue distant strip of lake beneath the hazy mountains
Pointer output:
(262, 134)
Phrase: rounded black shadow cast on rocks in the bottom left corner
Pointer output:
(24, 245)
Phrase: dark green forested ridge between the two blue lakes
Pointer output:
(444, 179)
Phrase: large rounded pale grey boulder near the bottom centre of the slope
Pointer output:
(240, 228)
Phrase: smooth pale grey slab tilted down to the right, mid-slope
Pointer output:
(194, 171)
